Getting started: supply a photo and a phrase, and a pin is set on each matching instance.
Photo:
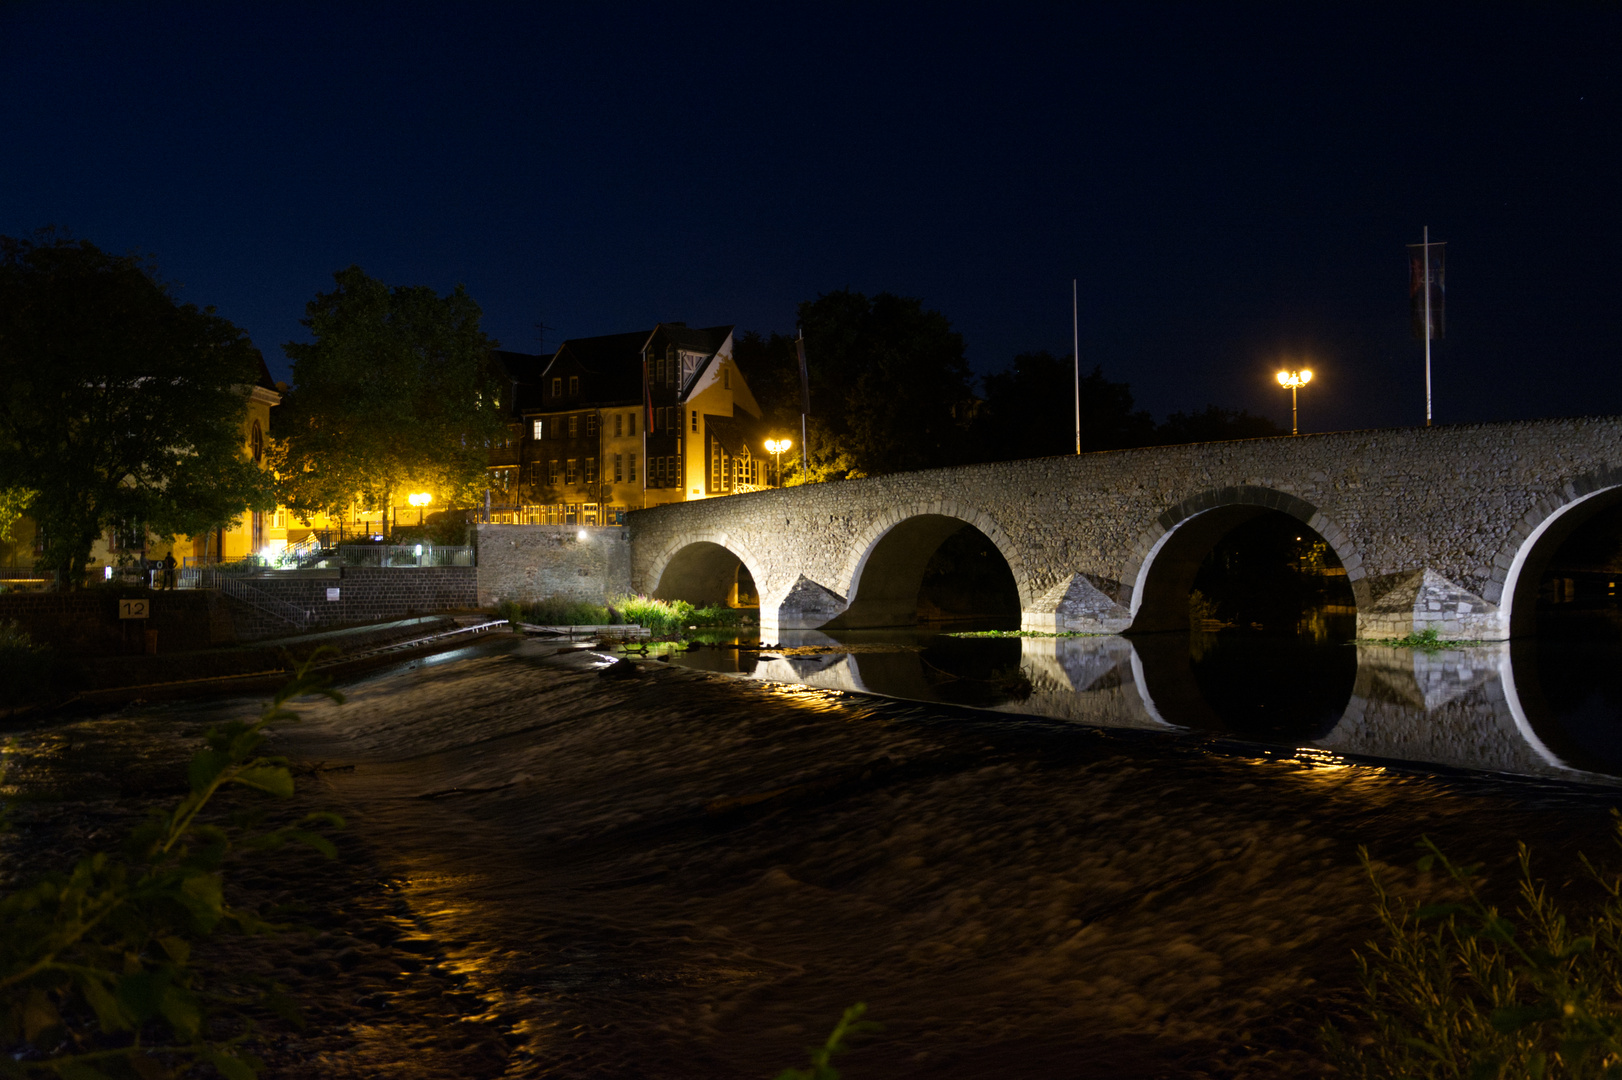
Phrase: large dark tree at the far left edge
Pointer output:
(124, 408)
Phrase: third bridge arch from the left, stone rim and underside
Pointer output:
(1169, 555)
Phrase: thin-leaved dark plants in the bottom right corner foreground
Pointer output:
(1461, 990)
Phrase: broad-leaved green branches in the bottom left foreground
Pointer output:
(95, 964)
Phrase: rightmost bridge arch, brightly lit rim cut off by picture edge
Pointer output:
(1537, 538)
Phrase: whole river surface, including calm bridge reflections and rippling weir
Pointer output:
(1029, 857)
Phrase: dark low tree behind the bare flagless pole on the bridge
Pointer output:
(1031, 411)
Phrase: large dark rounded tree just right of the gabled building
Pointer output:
(890, 385)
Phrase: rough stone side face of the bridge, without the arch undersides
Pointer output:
(1457, 502)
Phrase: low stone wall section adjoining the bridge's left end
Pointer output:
(531, 564)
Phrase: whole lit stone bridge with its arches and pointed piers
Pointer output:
(1443, 529)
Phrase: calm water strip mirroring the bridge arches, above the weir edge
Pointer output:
(1530, 708)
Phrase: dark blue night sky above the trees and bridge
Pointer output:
(1234, 186)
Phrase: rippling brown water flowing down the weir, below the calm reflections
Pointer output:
(682, 875)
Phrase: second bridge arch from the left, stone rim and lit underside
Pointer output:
(885, 572)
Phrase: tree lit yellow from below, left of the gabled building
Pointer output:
(397, 390)
